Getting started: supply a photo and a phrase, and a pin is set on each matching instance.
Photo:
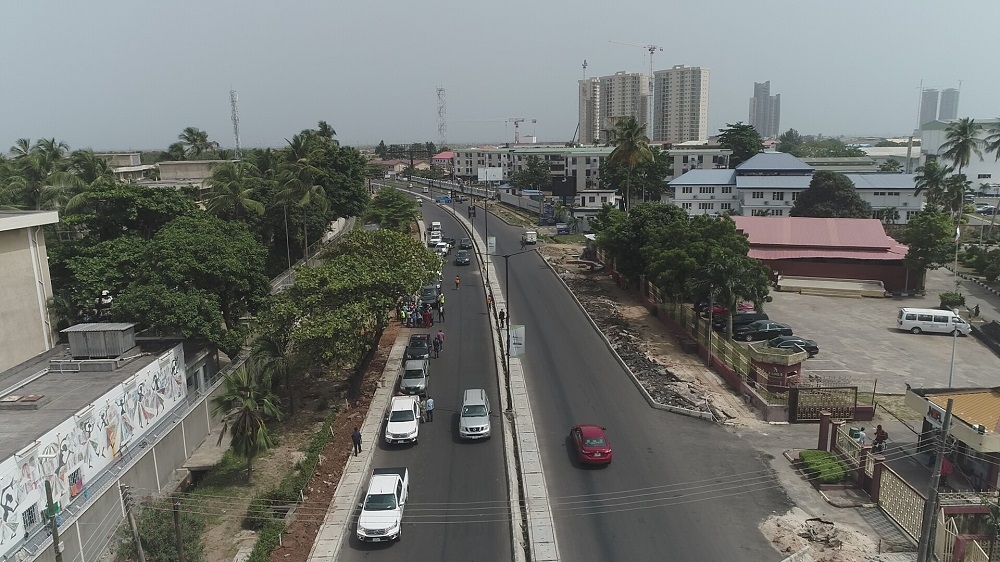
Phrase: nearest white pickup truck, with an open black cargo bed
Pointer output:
(382, 511)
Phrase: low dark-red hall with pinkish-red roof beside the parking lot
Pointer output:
(829, 248)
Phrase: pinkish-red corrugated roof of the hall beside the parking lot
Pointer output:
(831, 233)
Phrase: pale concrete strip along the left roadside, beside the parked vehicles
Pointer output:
(337, 521)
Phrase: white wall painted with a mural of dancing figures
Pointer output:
(79, 449)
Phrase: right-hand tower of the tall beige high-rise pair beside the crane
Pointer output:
(680, 104)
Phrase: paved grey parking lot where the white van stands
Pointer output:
(857, 337)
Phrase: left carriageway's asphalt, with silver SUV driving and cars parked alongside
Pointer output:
(458, 508)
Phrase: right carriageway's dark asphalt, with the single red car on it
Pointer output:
(678, 489)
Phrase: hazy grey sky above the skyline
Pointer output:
(131, 75)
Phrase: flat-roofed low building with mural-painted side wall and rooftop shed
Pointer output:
(88, 417)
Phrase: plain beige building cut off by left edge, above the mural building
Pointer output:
(27, 328)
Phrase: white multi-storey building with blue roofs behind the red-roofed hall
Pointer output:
(769, 183)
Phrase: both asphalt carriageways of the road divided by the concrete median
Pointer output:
(679, 488)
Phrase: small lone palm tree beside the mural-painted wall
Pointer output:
(246, 405)
